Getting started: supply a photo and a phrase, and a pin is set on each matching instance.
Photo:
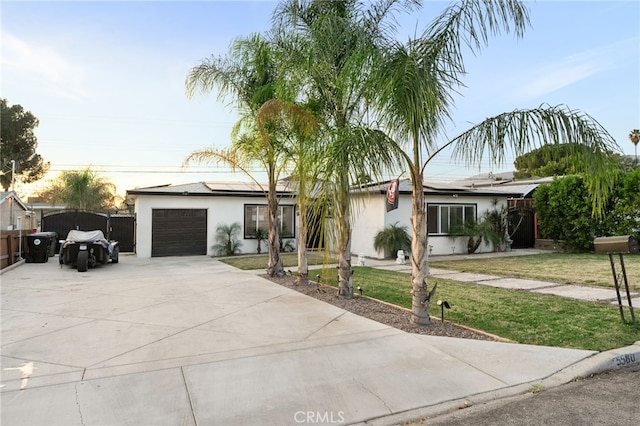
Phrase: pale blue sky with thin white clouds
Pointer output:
(107, 79)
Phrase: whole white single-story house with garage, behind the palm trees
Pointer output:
(182, 219)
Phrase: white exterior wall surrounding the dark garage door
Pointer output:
(220, 210)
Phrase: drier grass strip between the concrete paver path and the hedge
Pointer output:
(581, 269)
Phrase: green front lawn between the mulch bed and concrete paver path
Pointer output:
(520, 316)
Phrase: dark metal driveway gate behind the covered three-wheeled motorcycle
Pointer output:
(119, 227)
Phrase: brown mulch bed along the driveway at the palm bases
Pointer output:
(382, 312)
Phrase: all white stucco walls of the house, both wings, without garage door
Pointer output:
(226, 205)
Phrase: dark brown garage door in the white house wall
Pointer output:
(178, 232)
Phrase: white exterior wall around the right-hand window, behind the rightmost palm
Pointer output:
(370, 216)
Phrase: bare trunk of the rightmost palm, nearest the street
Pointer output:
(419, 263)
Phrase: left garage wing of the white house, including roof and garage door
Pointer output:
(175, 220)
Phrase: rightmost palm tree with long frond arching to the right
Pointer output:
(415, 82)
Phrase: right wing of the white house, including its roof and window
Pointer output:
(444, 203)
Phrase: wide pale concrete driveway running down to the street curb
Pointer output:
(193, 341)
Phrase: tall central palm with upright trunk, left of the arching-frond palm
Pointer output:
(331, 45)
